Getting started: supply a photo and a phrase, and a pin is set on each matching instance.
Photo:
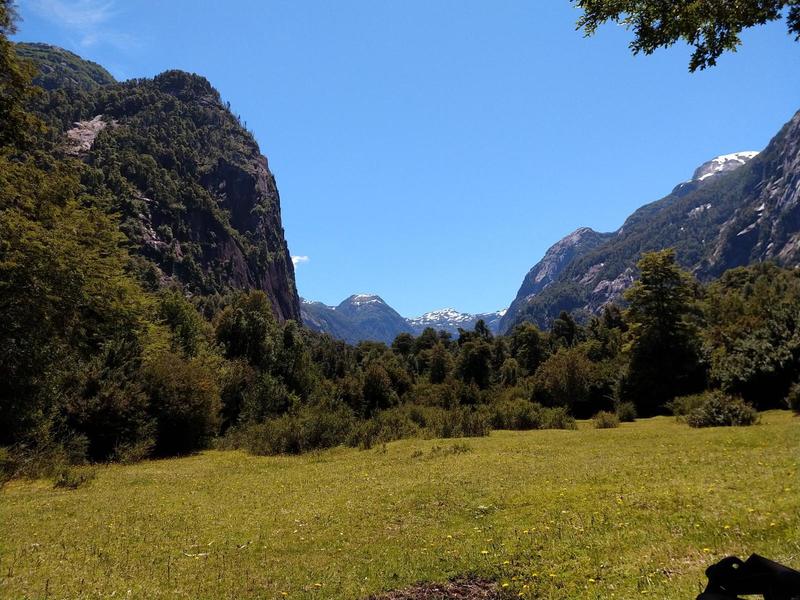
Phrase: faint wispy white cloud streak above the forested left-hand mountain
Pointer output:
(88, 20)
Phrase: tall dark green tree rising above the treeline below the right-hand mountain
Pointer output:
(663, 343)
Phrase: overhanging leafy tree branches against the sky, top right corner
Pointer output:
(710, 26)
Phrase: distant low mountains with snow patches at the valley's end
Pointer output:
(368, 317)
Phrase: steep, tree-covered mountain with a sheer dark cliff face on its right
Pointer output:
(195, 195)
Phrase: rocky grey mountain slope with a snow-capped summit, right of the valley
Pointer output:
(737, 209)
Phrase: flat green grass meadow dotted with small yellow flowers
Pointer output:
(553, 514)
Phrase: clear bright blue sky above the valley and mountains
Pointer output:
(430, 151)
